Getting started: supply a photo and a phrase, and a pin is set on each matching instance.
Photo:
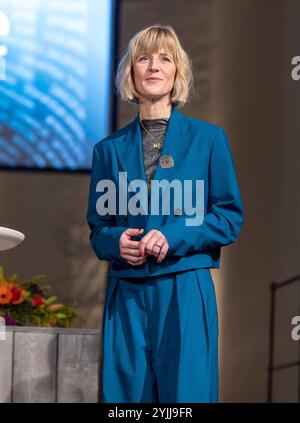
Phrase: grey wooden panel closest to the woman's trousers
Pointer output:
(78, 379)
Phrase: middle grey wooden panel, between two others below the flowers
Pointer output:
(35, 358)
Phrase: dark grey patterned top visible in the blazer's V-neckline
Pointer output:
(151, 155)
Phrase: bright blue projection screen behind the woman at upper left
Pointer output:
(55, 81)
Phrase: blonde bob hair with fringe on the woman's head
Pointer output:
(150, 40)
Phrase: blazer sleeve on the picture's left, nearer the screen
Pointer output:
(104, 235)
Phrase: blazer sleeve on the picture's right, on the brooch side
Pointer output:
(225, 216)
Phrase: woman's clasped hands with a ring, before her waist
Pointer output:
(136, 252)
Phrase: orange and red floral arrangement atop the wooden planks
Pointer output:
(25, 304)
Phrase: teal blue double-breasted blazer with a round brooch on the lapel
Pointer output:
(199, 150)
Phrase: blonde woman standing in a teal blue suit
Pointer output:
(160, 322)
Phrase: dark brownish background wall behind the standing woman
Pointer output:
(241, 52)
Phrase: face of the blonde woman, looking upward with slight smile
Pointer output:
(154, 74)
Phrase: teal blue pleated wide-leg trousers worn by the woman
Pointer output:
(160, 339)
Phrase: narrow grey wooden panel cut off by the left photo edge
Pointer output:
(6, 353)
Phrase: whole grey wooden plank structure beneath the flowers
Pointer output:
(29, 366)
